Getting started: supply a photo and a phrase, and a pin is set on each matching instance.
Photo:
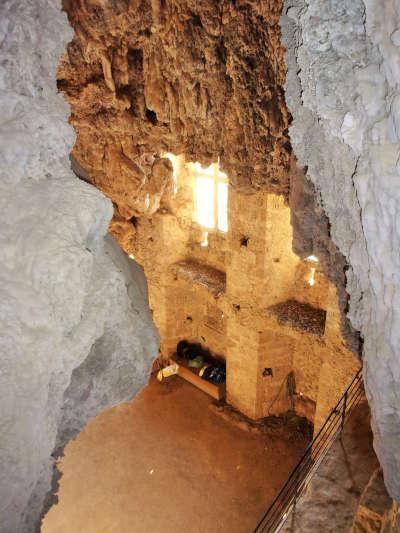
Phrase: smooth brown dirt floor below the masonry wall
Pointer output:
(166, 462)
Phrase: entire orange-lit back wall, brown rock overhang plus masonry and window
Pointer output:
(186, 131)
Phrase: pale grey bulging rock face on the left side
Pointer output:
(76, 334)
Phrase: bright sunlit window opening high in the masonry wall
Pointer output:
(211, 196)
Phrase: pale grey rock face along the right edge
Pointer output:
(343, 91)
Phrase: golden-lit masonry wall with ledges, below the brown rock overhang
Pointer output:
(239, 322)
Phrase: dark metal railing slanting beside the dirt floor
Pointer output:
(276, 515)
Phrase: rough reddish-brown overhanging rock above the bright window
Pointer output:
(148, 77)
